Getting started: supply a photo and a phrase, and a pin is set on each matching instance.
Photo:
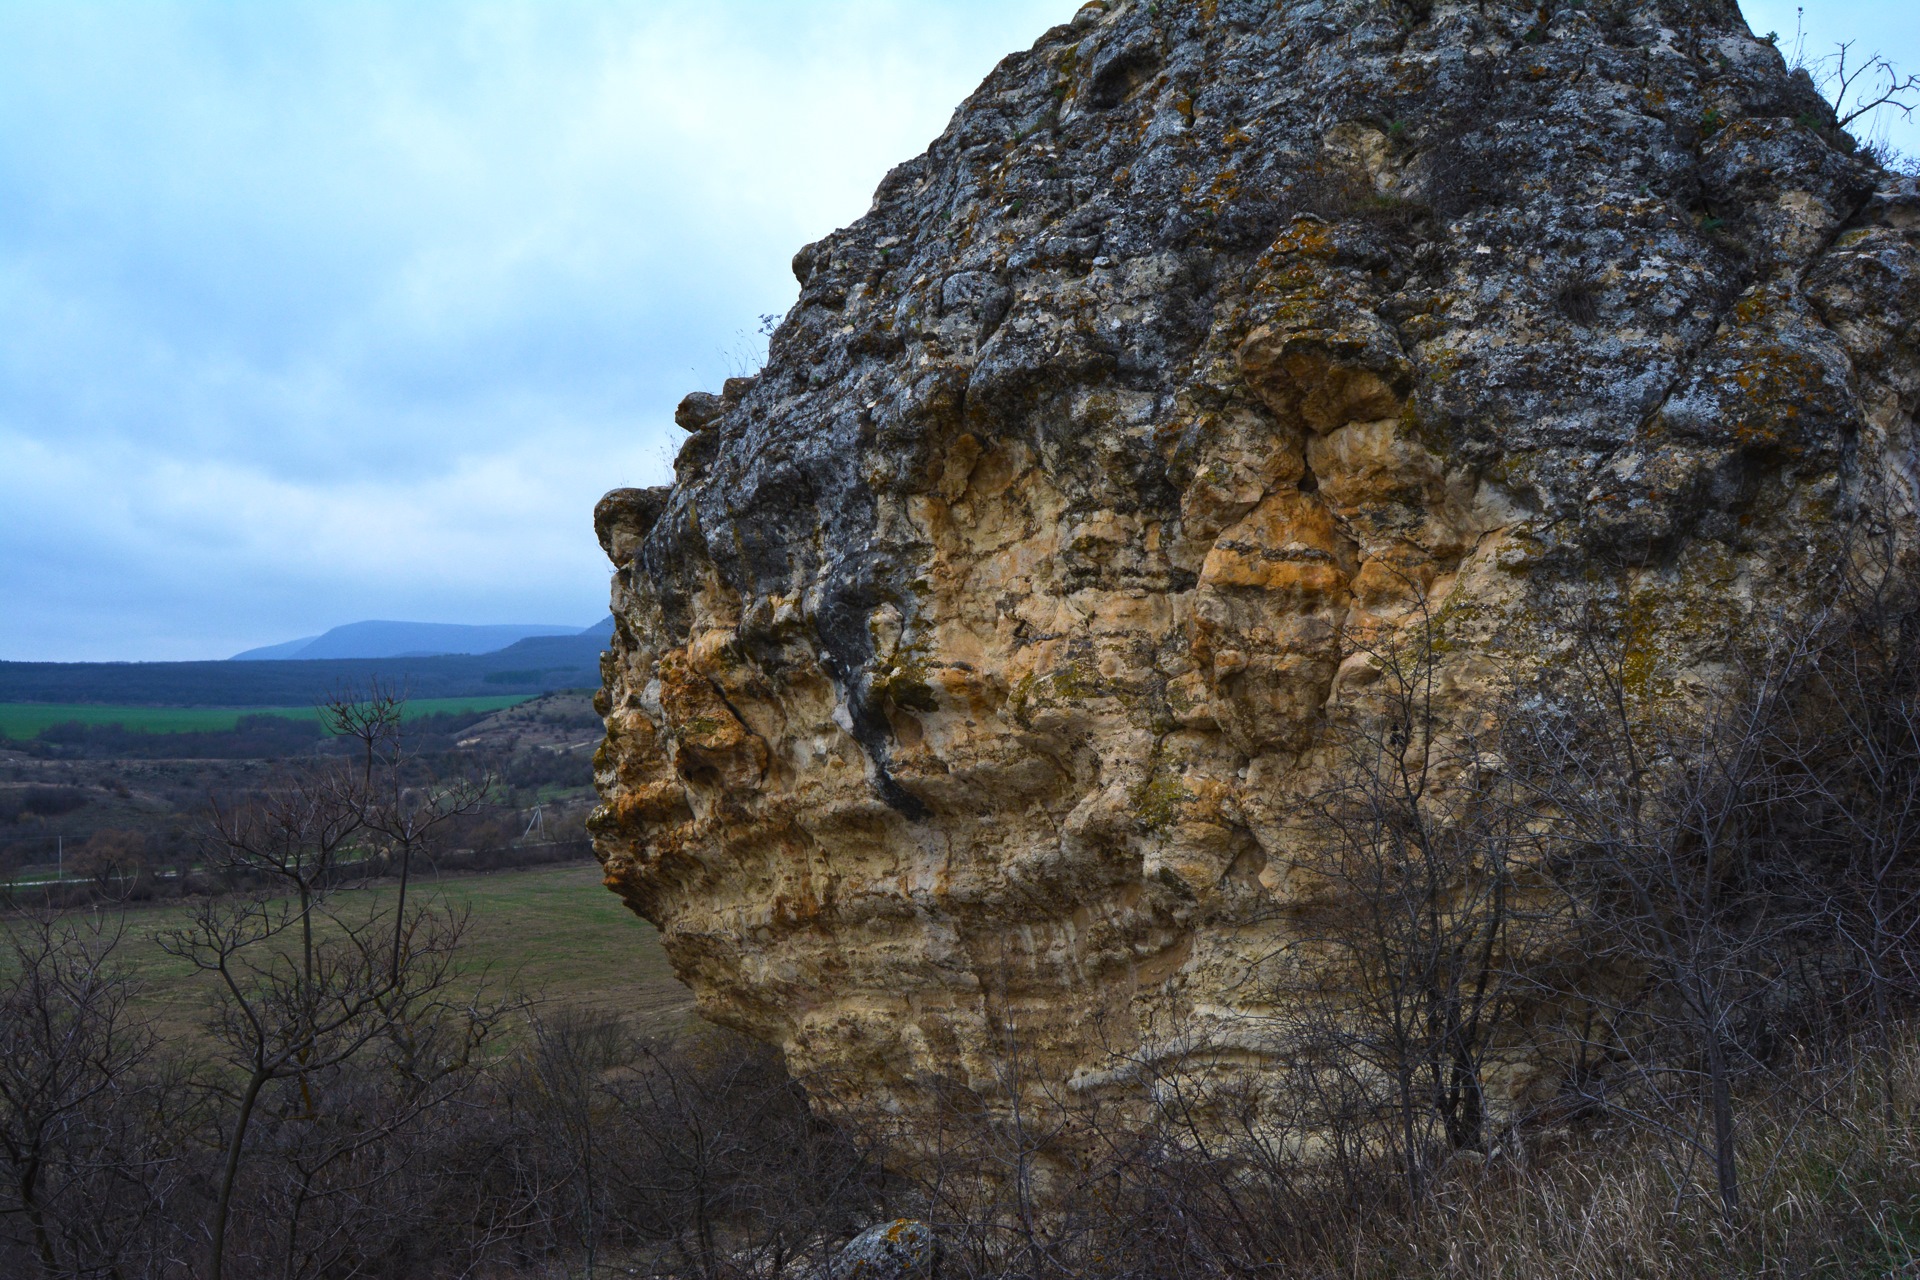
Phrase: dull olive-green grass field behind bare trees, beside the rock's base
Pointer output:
(552, 934)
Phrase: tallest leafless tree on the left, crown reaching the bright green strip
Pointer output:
(312, 991)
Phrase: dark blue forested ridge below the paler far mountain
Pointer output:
(535, 665)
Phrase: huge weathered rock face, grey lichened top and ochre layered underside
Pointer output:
(965, 675)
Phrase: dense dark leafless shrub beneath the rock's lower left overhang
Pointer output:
(692, 1156)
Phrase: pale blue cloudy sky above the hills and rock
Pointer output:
(331, 312)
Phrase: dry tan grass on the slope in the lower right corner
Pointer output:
(1833, 1175)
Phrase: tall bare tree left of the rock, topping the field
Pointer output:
(310, 982)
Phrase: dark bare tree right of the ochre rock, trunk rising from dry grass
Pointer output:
(1660, 822)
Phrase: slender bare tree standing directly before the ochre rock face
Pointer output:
(1401, 957)
